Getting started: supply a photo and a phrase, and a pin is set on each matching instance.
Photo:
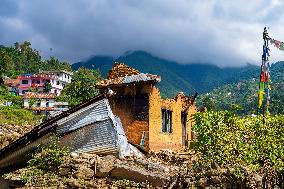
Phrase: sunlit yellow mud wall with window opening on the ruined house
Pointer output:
(160, 140)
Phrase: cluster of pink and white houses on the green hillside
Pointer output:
(40, 90)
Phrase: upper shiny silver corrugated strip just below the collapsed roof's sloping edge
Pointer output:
(93, 113)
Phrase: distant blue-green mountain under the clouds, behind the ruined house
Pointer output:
(189, 78)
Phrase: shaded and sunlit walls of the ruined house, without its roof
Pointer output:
(139, 108)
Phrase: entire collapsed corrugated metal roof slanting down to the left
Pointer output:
(90, 127)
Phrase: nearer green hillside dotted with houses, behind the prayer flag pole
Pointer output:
(245, 92)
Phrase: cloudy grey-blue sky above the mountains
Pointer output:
(226, 33)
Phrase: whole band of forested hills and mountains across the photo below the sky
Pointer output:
(224, 86)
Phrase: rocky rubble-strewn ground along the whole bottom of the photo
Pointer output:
(164, 169)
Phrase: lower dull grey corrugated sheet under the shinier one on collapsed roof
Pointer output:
(99, 137)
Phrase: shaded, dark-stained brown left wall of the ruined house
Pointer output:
(131, 105)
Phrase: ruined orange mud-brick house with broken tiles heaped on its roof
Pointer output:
(149, 121)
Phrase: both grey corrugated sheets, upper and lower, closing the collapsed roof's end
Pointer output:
(90, 129)
